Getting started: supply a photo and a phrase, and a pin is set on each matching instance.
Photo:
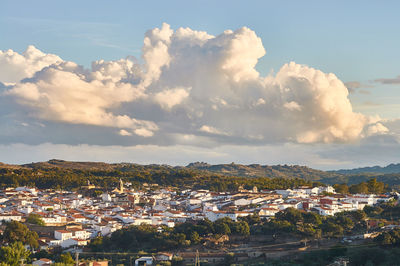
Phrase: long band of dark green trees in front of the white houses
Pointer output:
(290, 221)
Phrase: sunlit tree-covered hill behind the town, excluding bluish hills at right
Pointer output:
(70, 178)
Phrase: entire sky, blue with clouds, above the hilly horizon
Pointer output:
(313, 83)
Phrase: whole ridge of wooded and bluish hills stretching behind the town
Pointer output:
(69, 175)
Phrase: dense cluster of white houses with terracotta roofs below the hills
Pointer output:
(73, 218)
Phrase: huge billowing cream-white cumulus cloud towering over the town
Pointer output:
(190, 83)
